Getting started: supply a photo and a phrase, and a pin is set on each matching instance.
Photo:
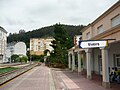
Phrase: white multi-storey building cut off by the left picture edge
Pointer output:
(3, 41)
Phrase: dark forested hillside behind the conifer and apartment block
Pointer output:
(43, 32)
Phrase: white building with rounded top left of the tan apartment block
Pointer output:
(18, 48)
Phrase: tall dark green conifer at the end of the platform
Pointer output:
(61, 43)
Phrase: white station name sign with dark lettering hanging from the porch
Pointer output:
(92, 44)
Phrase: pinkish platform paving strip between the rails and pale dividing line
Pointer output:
(39, 78)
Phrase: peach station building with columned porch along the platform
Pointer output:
(100, 60)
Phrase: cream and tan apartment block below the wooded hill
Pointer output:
(39, 45)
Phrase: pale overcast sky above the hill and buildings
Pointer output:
(33, 14)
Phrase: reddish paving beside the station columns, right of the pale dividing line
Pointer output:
(75, 81)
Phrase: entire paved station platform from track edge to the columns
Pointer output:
(43, 78)
